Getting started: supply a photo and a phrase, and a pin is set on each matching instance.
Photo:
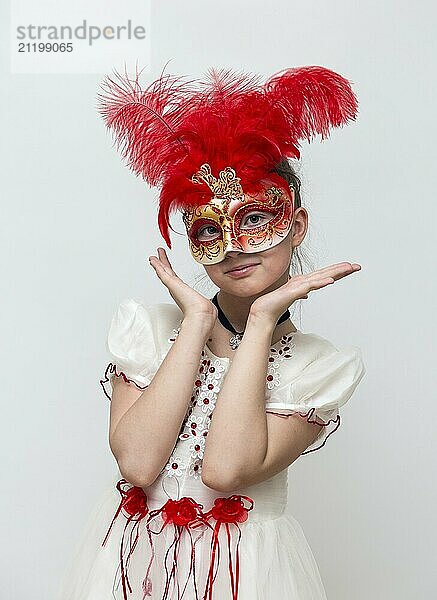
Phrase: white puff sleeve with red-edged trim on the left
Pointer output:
(131, 346)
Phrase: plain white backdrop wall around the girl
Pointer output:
(77, 228)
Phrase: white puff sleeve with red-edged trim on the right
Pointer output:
(319, 390)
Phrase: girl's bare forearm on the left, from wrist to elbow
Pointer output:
(146, 434)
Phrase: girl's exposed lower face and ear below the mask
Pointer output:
(271, 266)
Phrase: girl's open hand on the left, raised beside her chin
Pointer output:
(191, 303)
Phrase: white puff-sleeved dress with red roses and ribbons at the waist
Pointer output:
(170, 540)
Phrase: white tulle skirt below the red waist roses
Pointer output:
(275, 562)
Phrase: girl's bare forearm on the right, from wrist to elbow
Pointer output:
(237, 436)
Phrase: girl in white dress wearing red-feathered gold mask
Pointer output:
(213, 399)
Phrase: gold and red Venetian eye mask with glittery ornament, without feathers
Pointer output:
(228, 212)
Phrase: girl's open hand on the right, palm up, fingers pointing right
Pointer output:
(273, 304)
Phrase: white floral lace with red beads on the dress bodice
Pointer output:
(186, 458)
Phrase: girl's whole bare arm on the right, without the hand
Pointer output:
(245, 445)
